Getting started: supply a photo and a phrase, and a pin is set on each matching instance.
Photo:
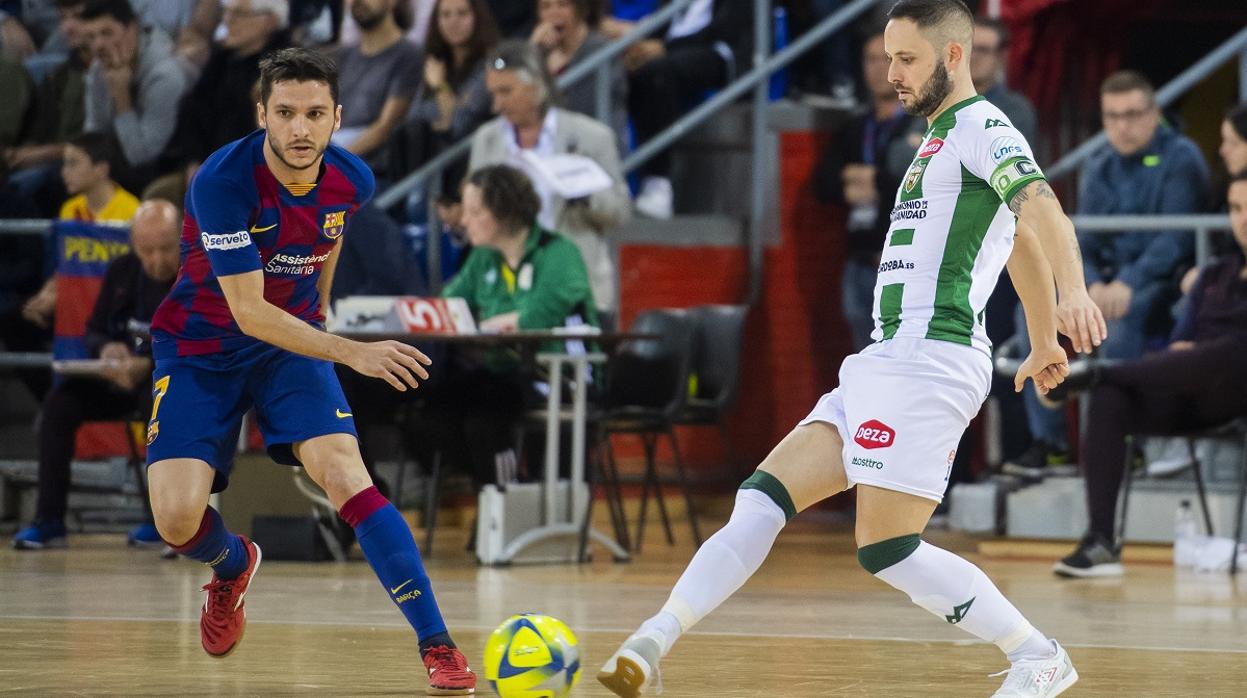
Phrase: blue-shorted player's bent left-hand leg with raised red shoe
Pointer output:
(179, 490)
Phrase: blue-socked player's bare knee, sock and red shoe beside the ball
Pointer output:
(334, 462)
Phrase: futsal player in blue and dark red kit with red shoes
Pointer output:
(244, 327)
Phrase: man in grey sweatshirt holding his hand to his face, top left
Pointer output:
(133, 88)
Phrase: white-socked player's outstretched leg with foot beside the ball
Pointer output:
(804, 469)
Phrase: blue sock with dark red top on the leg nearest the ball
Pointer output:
(390, 548)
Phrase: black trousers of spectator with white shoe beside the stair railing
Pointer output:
(665, 89)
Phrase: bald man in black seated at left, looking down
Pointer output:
(133, 289)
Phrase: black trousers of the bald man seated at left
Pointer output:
(67, 407)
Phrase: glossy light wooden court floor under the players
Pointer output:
(99, 619)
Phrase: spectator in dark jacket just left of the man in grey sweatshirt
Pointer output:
(57, 115)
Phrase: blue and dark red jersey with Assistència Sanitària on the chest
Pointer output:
(240, 219)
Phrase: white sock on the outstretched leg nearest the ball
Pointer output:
(721, 567)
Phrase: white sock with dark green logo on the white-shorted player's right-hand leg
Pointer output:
(957, 591)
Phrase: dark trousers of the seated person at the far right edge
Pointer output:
(1164, 393)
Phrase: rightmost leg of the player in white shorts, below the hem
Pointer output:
(890, 547)
